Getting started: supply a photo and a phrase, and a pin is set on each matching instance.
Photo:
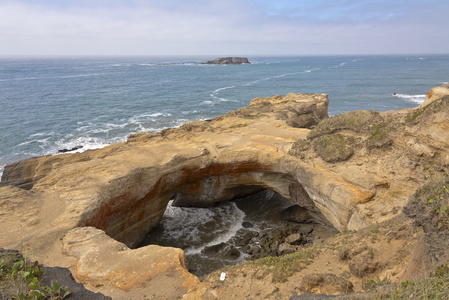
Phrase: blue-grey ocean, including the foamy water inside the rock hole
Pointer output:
(50, 104)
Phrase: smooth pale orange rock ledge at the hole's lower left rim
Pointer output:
(160, 270)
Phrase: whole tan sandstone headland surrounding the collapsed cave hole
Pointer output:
(361, 172)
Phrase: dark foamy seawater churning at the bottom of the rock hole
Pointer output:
(223, 235)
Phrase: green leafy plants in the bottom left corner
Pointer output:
(19, 279)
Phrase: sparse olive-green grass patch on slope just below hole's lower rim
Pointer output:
(285, 266)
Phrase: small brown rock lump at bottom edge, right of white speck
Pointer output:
(328, 284)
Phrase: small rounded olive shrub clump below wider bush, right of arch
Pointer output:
(335, 147)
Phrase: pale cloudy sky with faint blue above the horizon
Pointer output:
(223, 27)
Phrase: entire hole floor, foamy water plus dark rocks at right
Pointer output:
(232, 232)
